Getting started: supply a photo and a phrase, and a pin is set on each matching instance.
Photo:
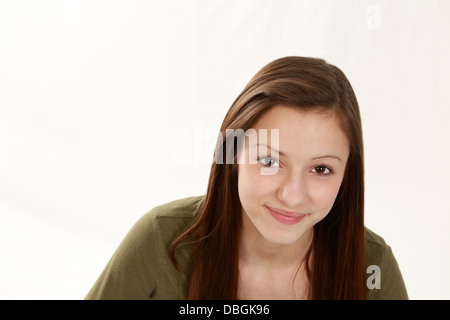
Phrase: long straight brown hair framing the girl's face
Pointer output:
(335, 259)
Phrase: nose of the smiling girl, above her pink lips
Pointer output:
(293, 190)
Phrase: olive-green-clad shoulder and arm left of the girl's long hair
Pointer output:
(141, 268)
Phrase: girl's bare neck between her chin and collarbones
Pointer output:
(255, 250)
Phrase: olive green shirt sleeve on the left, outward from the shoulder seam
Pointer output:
(130, 273)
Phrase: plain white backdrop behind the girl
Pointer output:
(96, 95)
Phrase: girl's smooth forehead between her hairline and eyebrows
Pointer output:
(312, 132)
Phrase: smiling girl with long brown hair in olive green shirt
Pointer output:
(283, 214)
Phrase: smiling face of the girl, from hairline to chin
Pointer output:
(302, 177)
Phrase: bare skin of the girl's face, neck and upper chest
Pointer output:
(307, 173)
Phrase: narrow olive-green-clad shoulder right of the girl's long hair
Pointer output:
(384, 279)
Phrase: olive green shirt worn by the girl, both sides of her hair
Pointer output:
(141, 268)
